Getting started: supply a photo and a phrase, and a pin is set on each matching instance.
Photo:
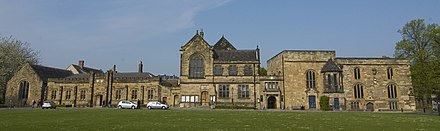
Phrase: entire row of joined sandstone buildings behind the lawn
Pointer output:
(221, 75)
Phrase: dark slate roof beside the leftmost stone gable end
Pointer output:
(49, 72)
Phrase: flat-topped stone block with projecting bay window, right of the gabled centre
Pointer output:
(351, 83)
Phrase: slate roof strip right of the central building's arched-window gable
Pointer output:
(235, 55)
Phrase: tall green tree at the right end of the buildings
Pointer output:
(417, 46)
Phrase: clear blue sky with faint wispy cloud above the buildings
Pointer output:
(104, 33)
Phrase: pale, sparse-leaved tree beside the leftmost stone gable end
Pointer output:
(13, 54)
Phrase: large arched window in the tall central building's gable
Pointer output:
(196, 67)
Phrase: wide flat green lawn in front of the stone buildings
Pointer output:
(114, 119)
